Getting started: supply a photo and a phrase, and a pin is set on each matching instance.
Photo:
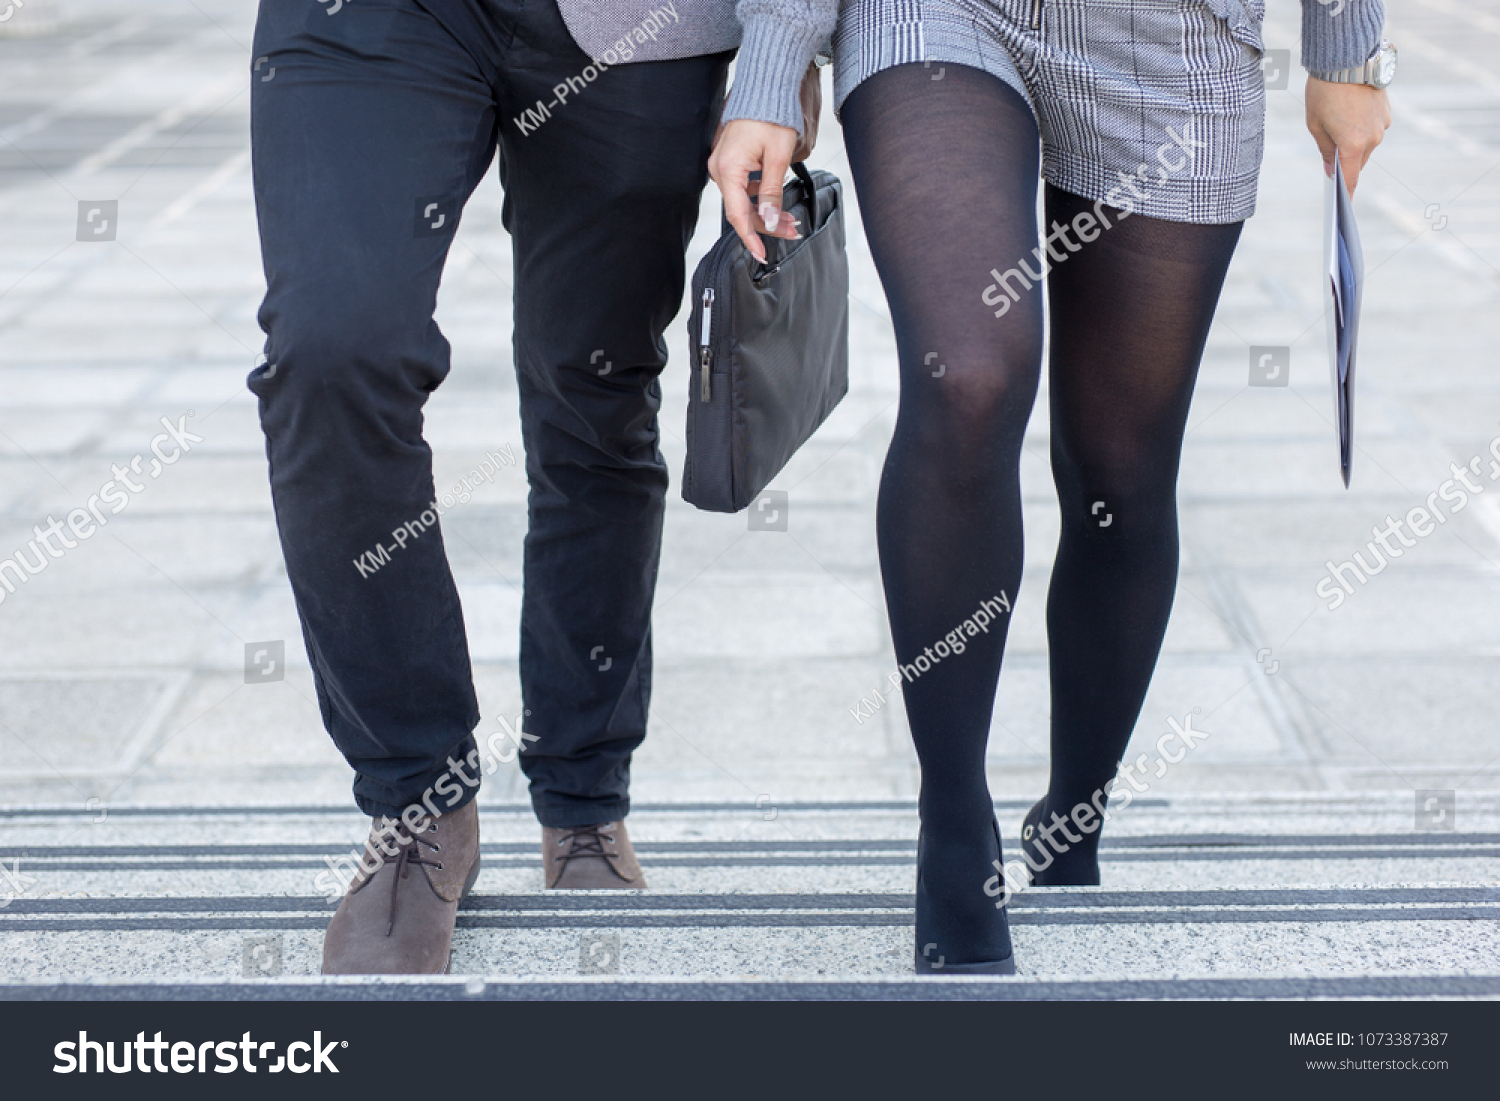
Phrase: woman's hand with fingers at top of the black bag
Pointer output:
(748, 146)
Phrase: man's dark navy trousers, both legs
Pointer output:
(373, 125)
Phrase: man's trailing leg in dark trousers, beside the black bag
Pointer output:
(601, 202)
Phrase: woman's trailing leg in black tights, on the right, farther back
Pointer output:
(1130, 316)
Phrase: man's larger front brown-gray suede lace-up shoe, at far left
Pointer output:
(398, 914)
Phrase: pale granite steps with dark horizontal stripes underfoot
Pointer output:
(1225, 896)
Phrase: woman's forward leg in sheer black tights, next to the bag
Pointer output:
(947, 184)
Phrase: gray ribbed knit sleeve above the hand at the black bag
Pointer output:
(781, 38)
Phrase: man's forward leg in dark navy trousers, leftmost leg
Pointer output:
(368, 139)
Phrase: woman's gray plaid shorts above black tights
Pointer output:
(1156, 107)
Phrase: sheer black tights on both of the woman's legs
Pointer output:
(947, 182)
